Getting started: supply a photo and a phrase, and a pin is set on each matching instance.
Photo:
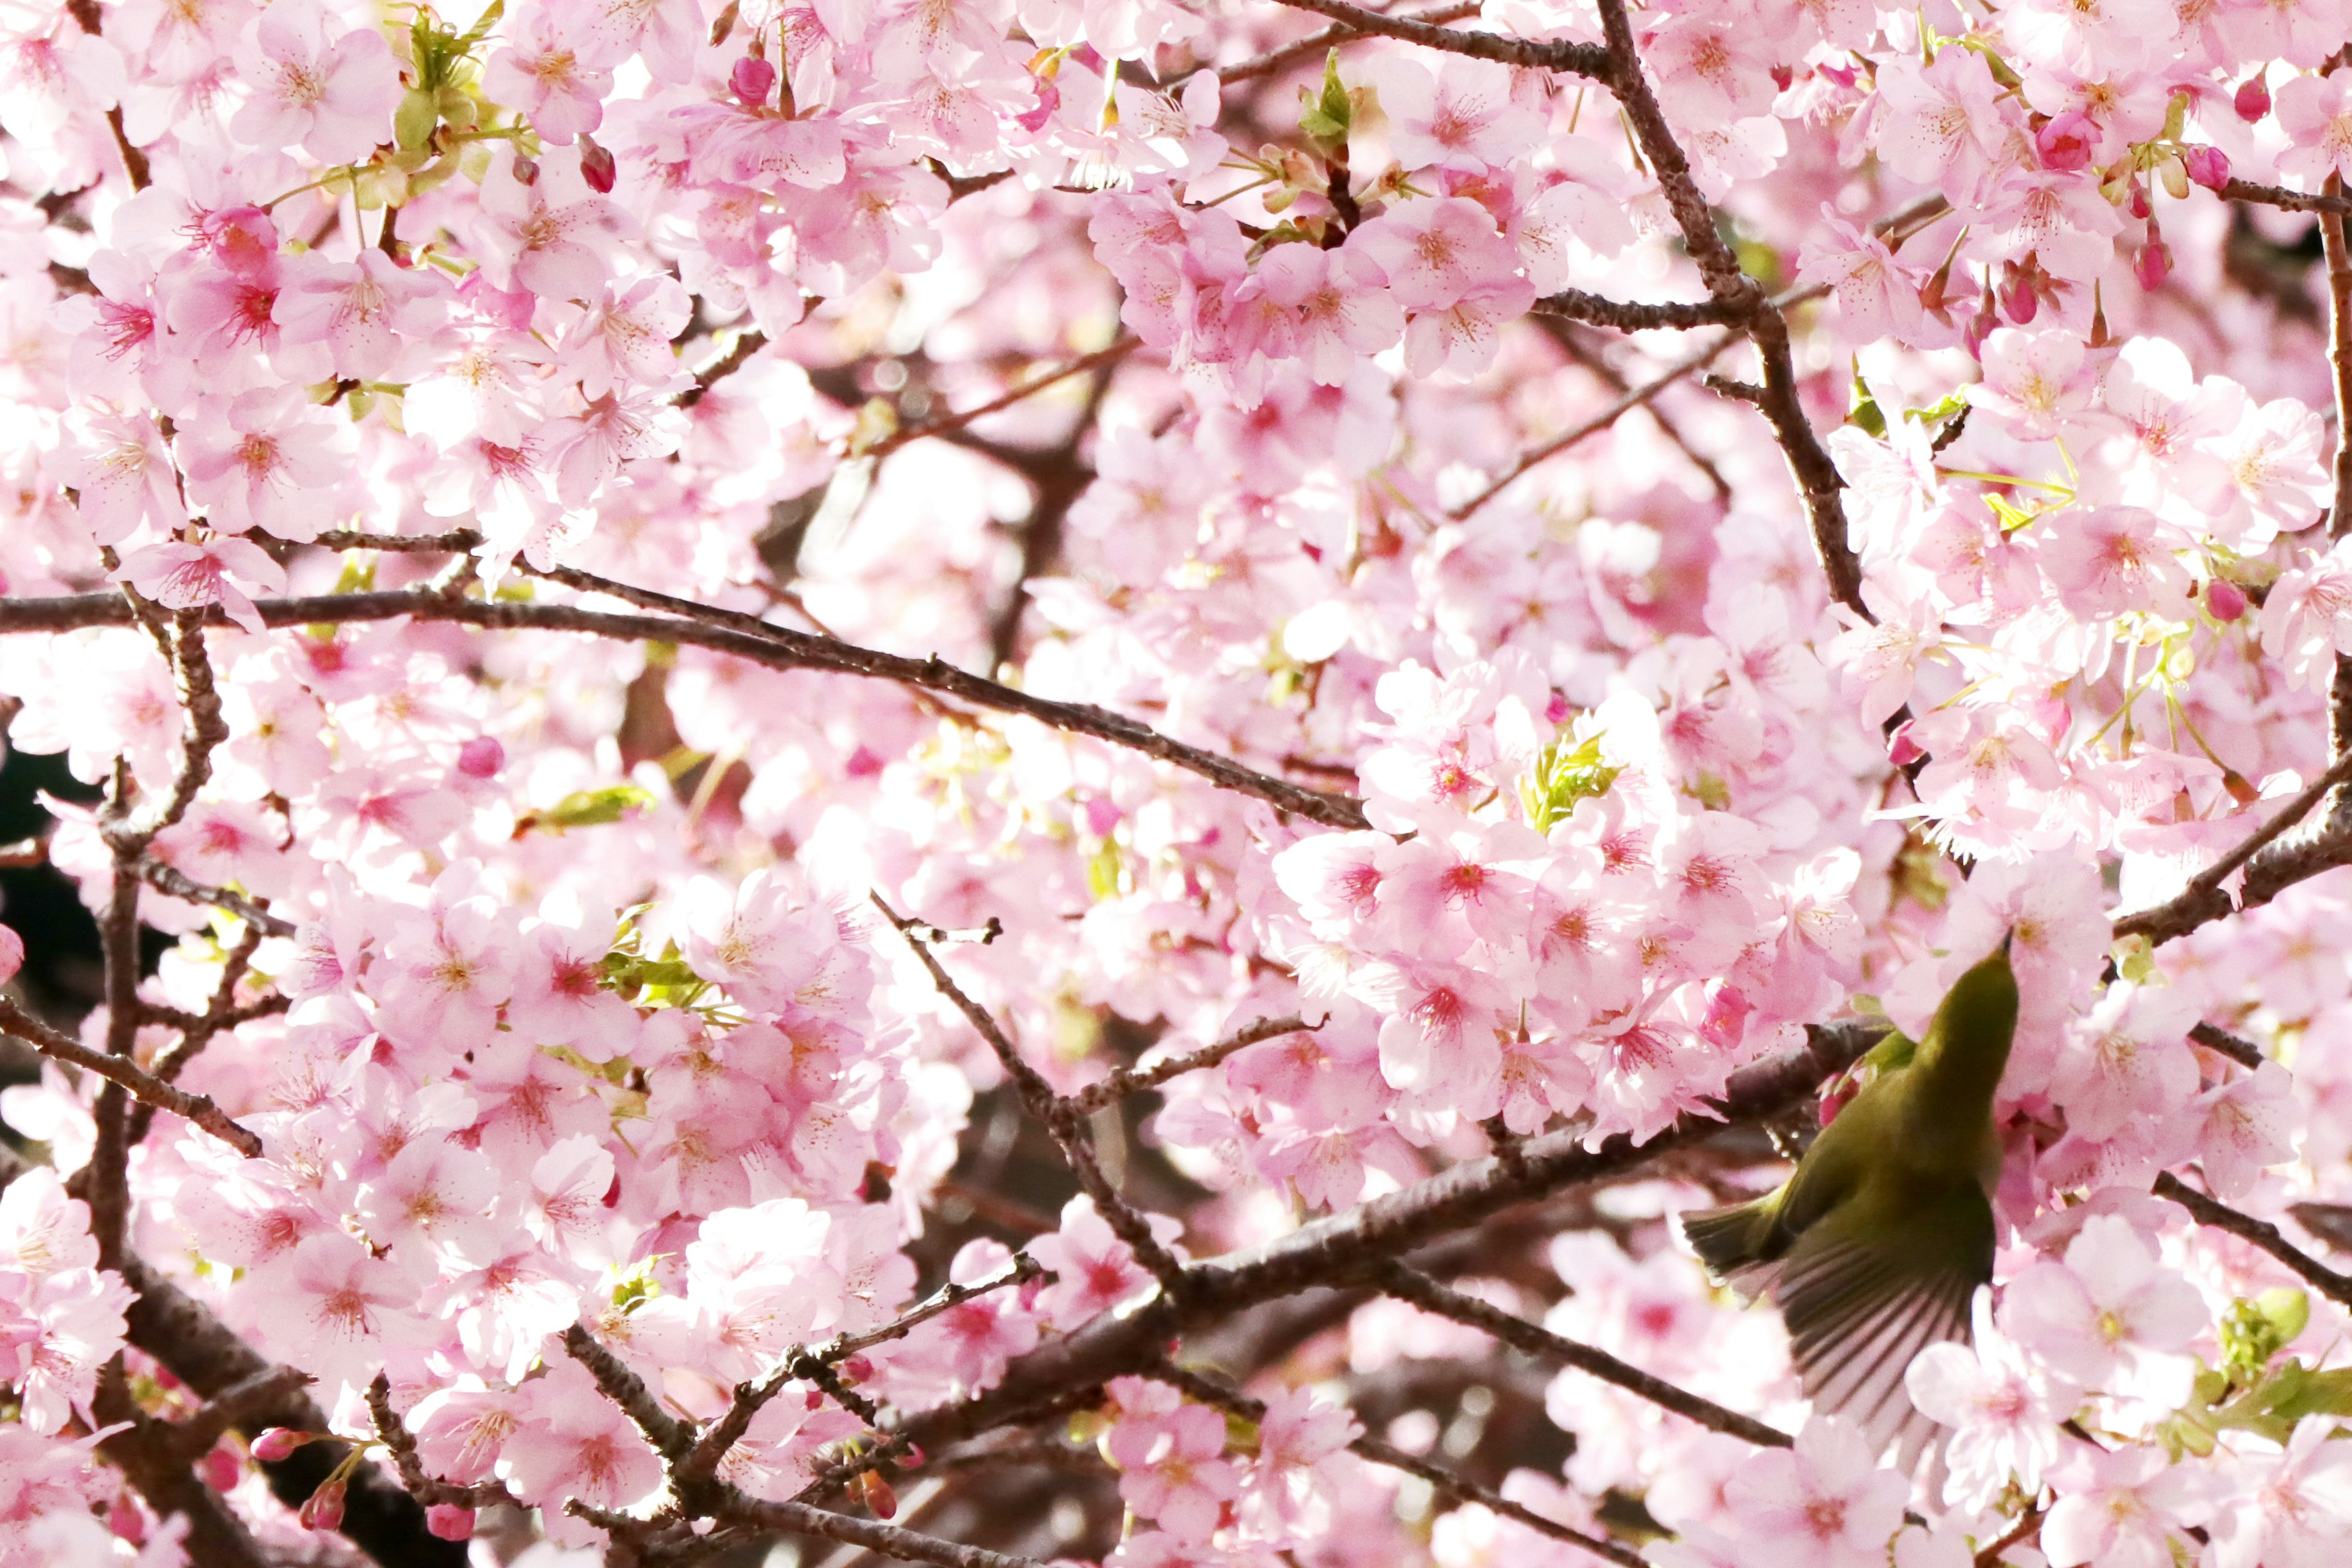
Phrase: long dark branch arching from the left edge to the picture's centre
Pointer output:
(773, 648)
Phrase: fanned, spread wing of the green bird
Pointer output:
(1876, 1285)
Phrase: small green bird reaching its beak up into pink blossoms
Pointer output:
(1880, 1238)
